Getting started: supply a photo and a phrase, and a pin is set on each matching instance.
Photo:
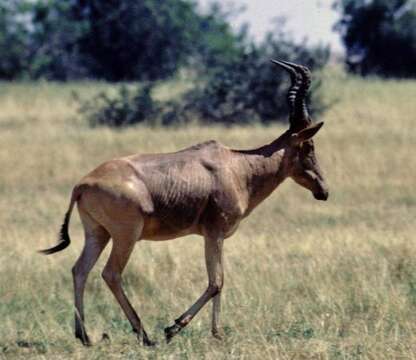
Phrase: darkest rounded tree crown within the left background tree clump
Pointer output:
(131, 39)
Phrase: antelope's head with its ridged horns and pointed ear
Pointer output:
(303, 165)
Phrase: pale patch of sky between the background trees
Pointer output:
(313, 19)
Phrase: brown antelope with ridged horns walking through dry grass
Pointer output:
(206, 189)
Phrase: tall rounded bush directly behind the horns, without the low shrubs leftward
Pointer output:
(250, 88)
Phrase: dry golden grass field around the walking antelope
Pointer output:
(303, 279)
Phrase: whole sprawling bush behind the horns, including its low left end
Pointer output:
(238, 89)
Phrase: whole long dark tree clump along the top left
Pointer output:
(114, 40)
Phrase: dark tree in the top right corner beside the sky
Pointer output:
(379, 36)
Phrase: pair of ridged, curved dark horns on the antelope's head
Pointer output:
(299, 116)
